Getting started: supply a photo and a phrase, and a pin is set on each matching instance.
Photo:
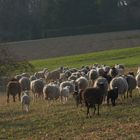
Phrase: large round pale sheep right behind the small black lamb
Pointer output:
(121, 83)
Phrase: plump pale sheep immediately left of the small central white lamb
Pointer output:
(51, 92)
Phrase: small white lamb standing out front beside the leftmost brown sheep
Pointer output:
(25, 101)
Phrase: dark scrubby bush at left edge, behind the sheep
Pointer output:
(11, 65)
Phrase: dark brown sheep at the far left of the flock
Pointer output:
(13, 88)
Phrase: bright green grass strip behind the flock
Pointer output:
(130, 57)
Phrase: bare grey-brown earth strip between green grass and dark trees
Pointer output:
(70, 45)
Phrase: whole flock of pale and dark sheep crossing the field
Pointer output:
(89, 85)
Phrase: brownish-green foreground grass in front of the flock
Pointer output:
(68, 122)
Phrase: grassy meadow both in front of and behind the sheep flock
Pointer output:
(57, 121)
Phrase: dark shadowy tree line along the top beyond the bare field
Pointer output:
(33, 19)
